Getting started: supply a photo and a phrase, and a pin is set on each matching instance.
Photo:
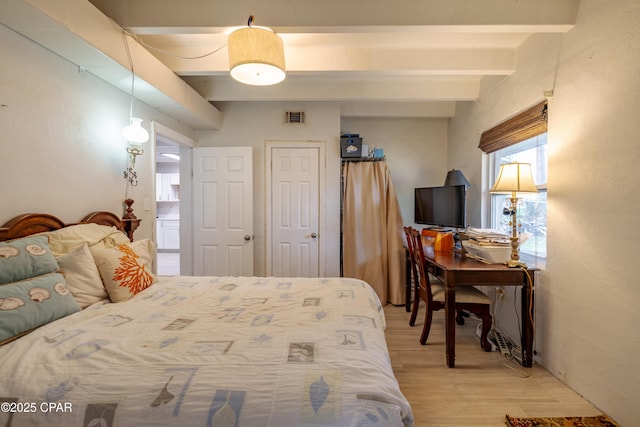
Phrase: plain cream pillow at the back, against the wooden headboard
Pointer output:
(67, 239)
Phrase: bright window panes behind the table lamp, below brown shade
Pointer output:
(532, 207)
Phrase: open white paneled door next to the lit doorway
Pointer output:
(222, 211)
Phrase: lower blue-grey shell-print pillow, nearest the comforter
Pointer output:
(31, 303)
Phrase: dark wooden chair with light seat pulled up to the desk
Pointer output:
(467, 297)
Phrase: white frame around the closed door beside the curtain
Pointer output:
(320, 145)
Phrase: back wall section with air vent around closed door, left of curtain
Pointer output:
(252, 125)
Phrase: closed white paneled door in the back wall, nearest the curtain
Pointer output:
(295, 212)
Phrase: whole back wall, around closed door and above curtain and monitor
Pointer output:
(415, 150)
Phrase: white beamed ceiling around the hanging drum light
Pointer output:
(369, 55)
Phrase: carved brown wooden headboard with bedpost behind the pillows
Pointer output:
(32, 223)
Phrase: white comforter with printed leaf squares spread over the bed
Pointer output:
(210, 351)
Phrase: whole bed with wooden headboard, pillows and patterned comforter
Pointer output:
(179, 351)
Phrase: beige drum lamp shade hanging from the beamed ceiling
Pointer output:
(256, 56)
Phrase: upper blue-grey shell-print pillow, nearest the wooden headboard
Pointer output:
(24, 258)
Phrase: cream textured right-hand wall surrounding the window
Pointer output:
(587, 314)
